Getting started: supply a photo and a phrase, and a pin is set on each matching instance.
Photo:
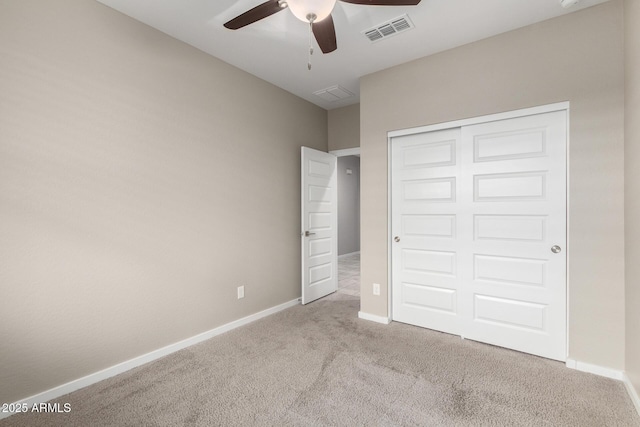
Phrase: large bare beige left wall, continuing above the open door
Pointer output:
(139, 180)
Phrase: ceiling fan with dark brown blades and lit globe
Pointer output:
(317, 13)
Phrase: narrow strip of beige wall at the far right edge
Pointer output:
(632, 188)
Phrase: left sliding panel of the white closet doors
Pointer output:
(425, 187)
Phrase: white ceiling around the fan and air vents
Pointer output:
(276, 48)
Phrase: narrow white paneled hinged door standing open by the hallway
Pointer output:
(319, 224)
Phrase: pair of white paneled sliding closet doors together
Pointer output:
(479, 229)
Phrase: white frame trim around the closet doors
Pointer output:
(548, 108)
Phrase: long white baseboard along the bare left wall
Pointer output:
(79, 383)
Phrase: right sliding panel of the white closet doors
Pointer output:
(514, 292)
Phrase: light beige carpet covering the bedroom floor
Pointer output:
(320, 365)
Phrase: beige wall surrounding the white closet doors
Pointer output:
(576, 58)
